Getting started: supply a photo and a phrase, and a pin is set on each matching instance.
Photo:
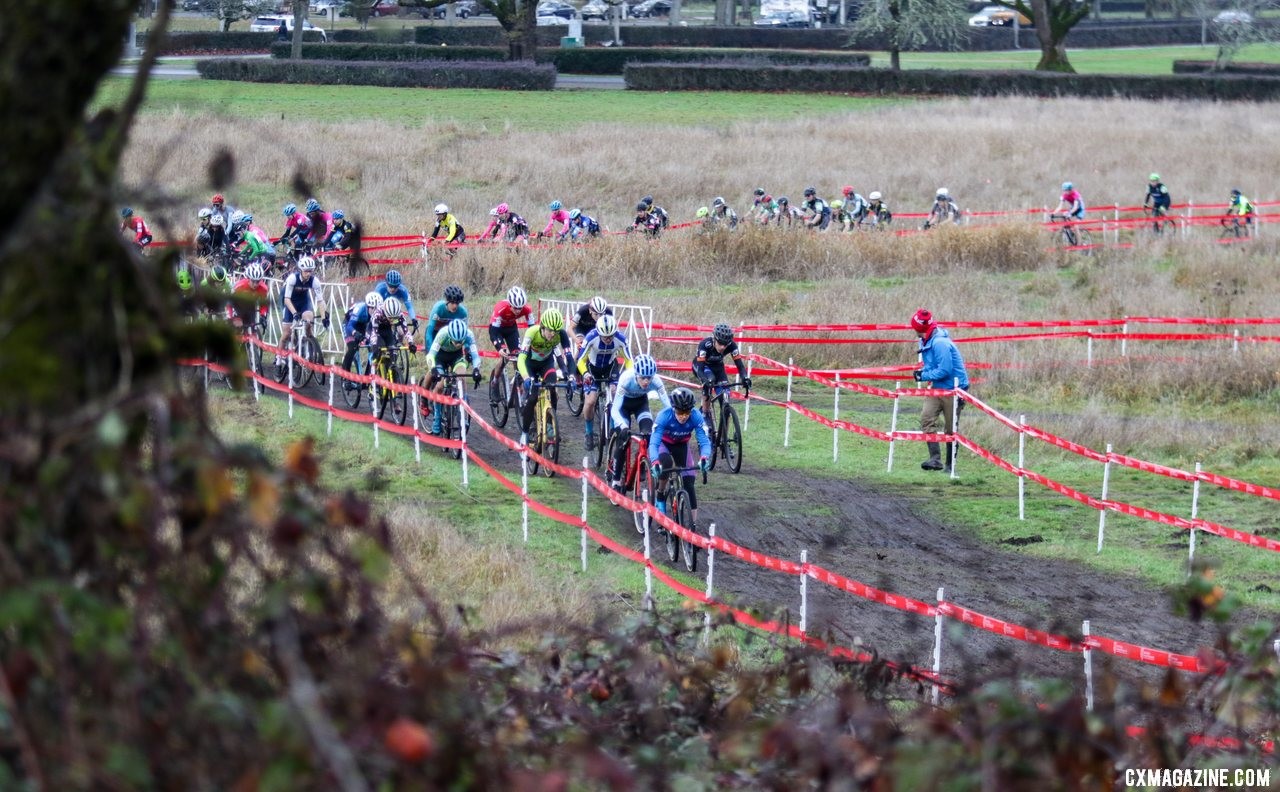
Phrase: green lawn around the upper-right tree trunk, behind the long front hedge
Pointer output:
(1116, 61)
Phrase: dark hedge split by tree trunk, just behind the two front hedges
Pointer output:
(575, 61)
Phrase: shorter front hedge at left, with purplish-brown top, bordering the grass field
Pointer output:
(518, 76)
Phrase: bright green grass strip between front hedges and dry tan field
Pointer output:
(479, 112)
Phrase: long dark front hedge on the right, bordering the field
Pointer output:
(845, 80)
